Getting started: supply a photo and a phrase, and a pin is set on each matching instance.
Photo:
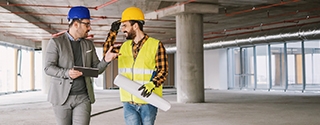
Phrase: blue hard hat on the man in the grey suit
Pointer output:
(79, 12)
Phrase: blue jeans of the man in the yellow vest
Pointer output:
(139, 114)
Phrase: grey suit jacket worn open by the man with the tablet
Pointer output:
(58, 62)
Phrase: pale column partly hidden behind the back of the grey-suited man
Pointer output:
(45, 78)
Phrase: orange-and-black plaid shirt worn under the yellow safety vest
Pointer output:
(161, 58)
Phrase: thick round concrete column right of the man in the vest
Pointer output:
(190, 73)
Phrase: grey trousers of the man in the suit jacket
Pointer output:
(76, 111)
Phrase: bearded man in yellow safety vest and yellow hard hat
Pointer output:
(142, 59)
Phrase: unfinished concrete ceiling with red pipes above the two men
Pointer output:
(28, 22)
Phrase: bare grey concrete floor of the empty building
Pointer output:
(220, 108)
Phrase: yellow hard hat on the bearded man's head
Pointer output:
(132, 13)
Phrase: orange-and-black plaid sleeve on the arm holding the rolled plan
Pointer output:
(161, 65)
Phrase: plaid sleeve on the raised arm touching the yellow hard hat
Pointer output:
(110, 42)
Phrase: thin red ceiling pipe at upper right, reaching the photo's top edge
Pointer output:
(262, 7)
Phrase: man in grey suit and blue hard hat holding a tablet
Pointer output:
(71, 93)
